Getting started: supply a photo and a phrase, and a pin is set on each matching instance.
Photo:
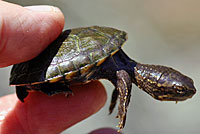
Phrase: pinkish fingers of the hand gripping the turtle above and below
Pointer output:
(24, 33)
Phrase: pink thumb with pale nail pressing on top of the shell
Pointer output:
(25, 32)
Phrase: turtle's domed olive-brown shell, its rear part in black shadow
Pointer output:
(74, 55)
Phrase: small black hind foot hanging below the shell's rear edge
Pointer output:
(21, 93)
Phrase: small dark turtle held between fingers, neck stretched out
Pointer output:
(84, 54)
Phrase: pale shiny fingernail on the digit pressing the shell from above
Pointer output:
(43, 8)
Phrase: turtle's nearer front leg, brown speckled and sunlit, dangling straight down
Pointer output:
(124, 86)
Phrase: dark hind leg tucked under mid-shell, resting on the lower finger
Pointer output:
(55, 88)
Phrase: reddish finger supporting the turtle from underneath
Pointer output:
(51, 115)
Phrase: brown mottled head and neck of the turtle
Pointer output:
(164, 83)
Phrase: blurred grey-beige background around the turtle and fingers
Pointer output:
(160, 32)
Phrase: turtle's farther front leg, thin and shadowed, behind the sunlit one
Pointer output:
(113, 100)
